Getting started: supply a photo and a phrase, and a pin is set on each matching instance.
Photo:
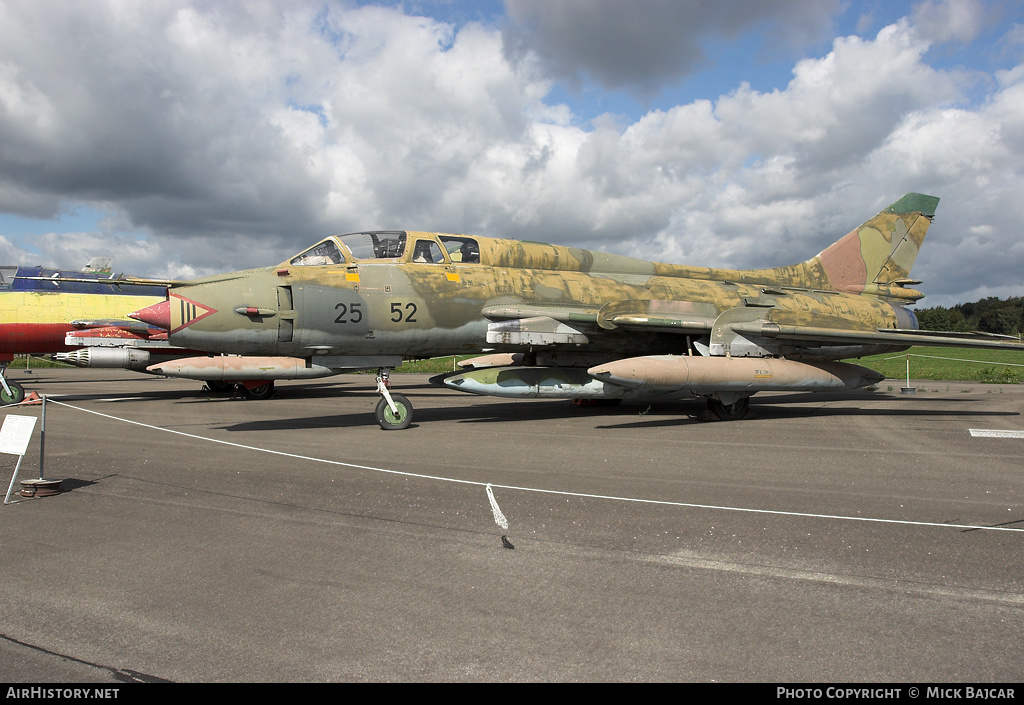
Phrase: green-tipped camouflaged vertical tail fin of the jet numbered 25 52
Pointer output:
(881, 252)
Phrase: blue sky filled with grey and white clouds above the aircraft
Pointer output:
(194, 138)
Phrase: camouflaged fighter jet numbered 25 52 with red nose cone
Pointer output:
(571, 323)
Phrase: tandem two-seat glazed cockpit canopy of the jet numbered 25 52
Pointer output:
(392, 246)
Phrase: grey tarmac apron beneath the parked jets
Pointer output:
(828, 538)
